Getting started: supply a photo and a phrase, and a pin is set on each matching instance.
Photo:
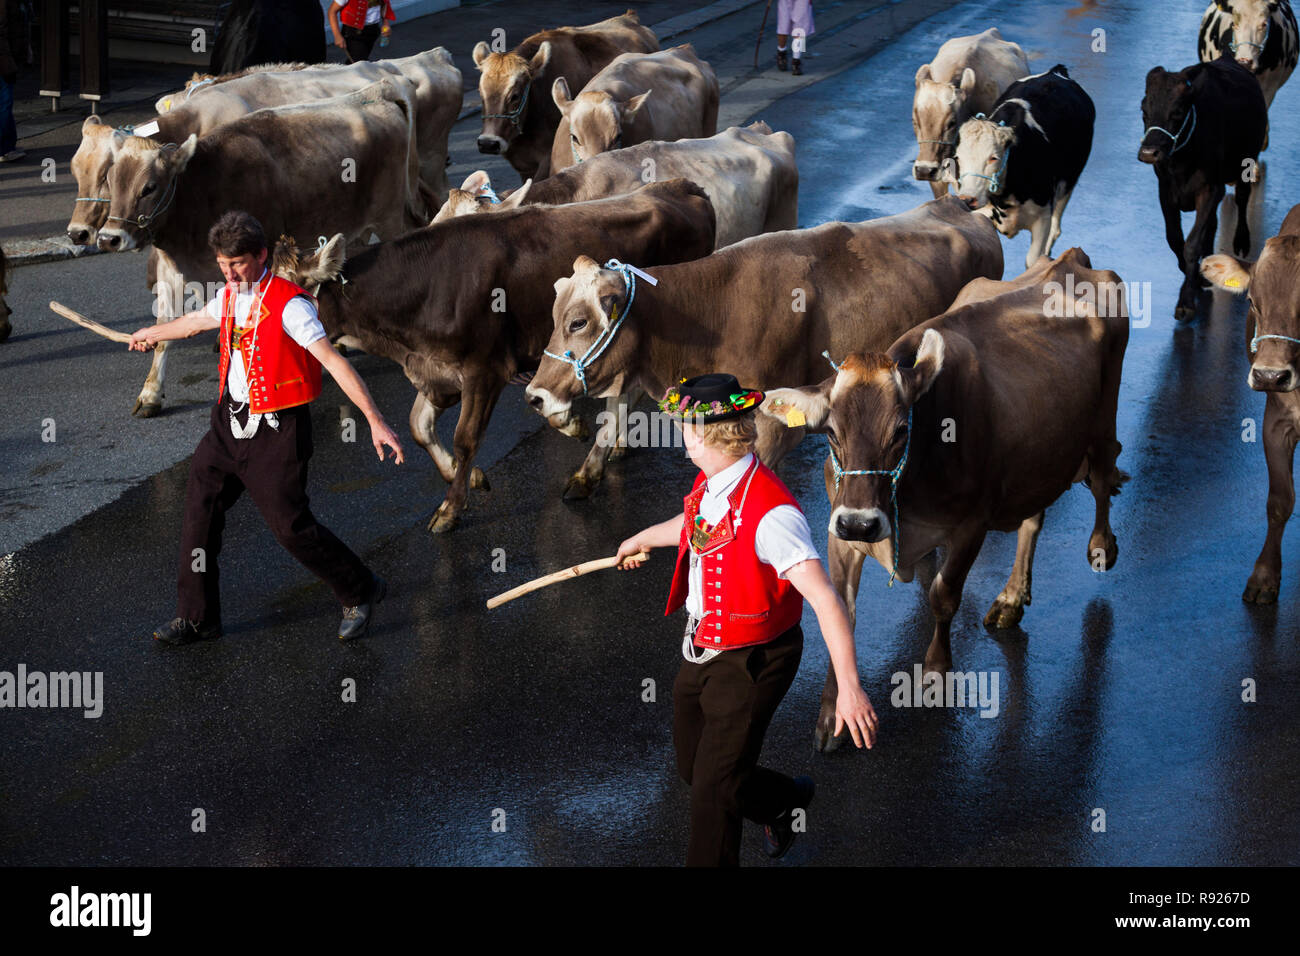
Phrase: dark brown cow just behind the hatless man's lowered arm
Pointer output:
(465, 305)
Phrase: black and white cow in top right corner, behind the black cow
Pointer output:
(1260, 34)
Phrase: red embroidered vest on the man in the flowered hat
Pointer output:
(746, 602)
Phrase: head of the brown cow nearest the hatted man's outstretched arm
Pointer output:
(864, 410)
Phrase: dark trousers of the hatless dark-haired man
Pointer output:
(272, 466)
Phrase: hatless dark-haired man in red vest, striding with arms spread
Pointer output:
(261, 438)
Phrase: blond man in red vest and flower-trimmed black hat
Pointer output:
(746, 564)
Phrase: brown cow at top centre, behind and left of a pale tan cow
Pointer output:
(519, 114)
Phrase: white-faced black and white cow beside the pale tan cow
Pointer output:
(1020, 165)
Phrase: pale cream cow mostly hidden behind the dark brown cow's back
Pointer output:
(749, 175)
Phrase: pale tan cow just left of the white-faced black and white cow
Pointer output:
(965, 79)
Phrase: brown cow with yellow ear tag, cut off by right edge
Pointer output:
(1273, 326)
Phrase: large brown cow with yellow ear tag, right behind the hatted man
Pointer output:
(973, 422)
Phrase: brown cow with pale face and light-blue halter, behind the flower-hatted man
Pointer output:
(764, 309)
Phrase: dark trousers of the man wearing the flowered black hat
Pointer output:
(721, 711)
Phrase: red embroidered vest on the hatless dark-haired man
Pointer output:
(281, 374)
